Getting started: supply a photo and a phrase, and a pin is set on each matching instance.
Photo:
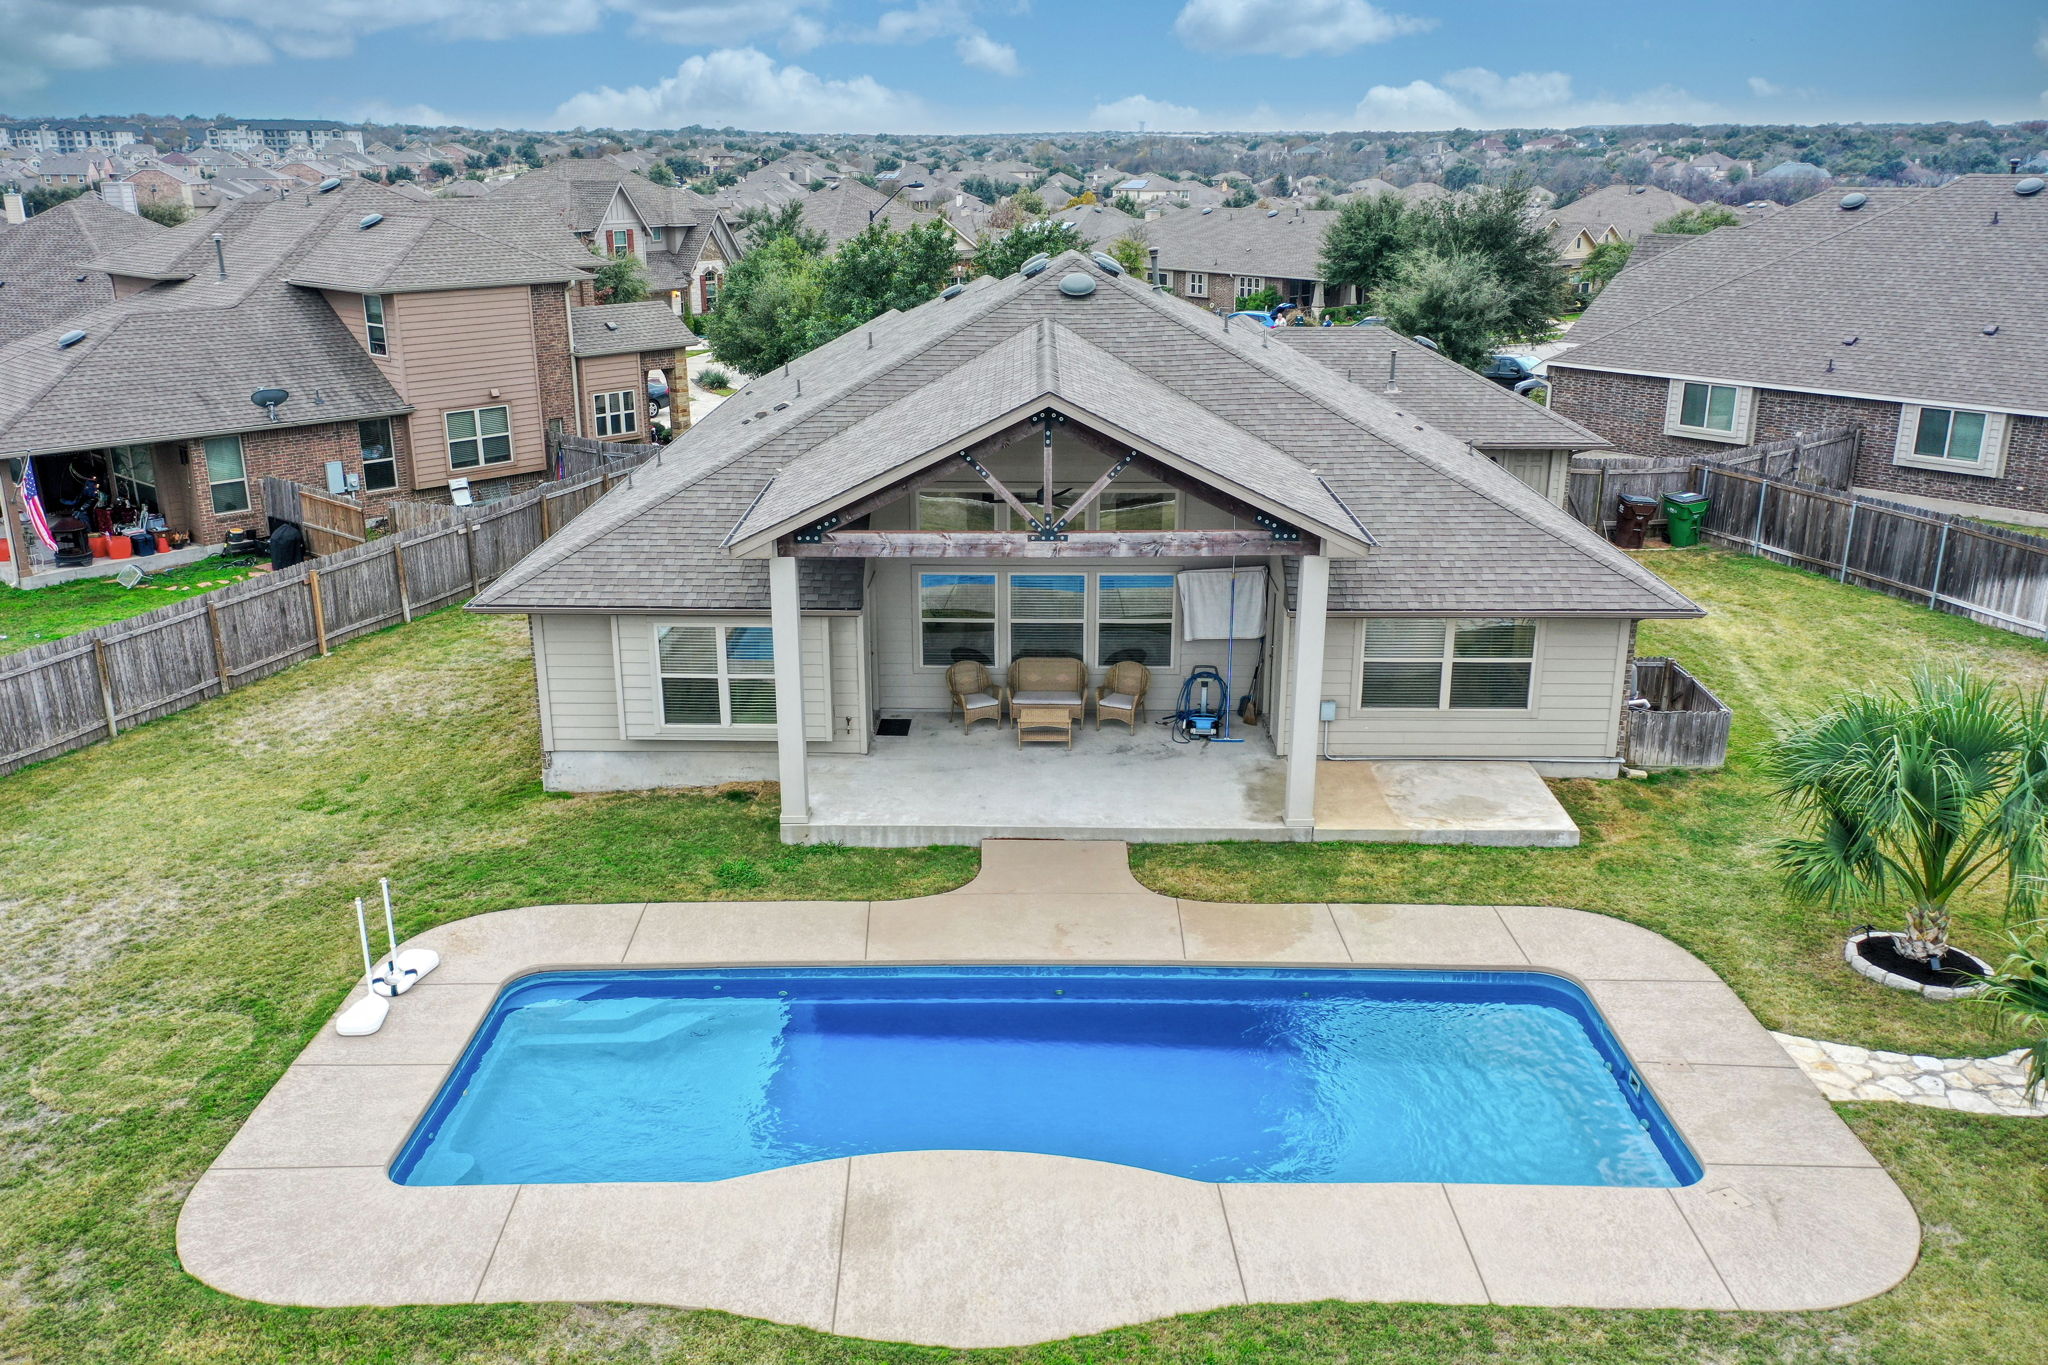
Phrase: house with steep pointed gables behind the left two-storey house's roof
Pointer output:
(673, 230)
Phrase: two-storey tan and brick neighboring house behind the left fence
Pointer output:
(417, 347)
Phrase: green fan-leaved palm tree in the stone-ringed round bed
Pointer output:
(1920, 797)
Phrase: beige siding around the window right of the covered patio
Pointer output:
(1574, 715)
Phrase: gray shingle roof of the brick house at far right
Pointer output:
(1916, 277)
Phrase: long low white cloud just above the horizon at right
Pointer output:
(1480, 99)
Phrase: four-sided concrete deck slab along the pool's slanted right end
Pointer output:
(1760, 1116)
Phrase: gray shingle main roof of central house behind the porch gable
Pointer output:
(1455, 533)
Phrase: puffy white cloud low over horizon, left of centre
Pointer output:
(742, 87)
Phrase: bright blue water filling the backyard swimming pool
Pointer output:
(1207, 1073)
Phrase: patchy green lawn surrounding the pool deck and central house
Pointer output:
(234, 834)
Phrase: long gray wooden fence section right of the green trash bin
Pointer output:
(1940, 560)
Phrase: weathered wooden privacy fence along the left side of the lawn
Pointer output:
(91, 687)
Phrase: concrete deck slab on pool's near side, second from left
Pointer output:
(763, 1245)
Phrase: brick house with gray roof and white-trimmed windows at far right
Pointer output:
(1900, 312)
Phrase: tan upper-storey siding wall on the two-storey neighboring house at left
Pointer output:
(470, 349)
